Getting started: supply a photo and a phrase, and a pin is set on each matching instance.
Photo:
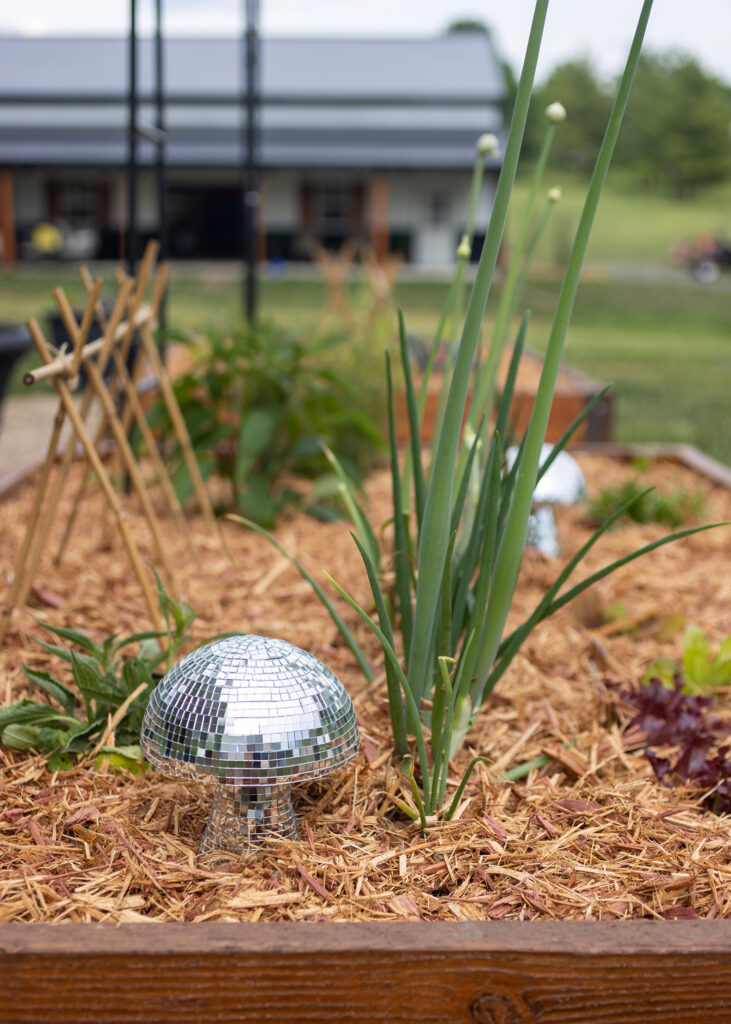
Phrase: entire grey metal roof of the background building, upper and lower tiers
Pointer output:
(326, 103)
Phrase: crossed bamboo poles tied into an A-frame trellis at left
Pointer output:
(131, 319)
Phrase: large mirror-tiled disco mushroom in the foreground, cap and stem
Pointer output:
(253, 716)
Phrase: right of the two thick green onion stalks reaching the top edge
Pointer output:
(513, 542)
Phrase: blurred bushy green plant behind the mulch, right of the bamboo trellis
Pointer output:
(260, 405)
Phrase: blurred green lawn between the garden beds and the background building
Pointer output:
(667, 349)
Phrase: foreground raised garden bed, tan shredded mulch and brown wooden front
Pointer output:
(592, 836)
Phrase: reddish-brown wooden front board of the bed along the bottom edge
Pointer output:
(502, 973)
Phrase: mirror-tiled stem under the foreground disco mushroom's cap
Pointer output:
(244, 816)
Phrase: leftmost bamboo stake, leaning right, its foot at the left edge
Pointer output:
(23, 579)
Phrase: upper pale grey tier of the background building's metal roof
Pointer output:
(459, 67)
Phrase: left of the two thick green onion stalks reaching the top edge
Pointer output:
(435, 537)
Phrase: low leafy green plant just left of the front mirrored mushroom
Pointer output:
(111, 691)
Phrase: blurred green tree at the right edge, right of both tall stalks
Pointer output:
(677, 131)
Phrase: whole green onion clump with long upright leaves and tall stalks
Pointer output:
(460, 525)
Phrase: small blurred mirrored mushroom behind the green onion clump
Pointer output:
(563, 484)
